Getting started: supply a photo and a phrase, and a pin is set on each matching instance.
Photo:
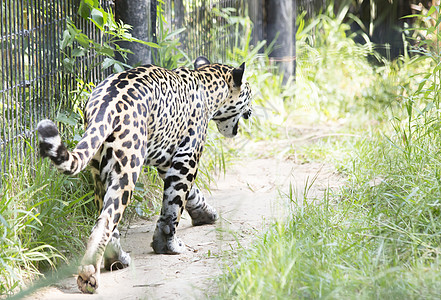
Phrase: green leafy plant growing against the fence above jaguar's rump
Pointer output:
(77, 47)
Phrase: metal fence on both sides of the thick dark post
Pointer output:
(33, 83)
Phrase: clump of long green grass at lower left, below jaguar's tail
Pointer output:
(45, 219)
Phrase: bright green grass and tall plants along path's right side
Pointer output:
(378, 237)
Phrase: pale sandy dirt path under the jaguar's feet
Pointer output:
(247, 198)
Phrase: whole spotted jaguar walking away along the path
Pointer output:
(148, 116)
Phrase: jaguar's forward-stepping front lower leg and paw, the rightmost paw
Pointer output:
(199, 210)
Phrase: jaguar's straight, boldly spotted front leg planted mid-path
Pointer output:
(178, 180)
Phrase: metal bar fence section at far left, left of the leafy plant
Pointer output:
(32, 82)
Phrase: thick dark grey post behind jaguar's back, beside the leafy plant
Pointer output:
(137, 14)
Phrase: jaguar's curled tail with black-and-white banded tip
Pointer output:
(69, 162)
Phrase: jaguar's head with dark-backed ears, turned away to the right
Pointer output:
(238, 102)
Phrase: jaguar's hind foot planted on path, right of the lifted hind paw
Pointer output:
(115, 258)
